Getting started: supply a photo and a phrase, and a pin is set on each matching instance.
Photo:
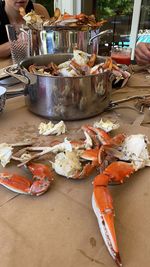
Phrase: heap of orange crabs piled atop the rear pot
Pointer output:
(80, 21)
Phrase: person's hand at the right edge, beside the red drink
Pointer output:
(142, 53)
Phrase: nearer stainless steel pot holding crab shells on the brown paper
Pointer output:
(67, 98)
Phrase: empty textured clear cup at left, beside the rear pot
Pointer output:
(18, 36)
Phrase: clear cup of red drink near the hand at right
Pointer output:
(121, 55)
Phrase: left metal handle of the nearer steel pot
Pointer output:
(14, 71)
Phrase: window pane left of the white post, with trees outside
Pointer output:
(119, 18)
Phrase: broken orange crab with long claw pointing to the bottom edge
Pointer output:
(126, 156)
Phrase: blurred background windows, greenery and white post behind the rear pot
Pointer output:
(129, 20)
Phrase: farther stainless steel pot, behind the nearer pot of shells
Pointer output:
(52, 40)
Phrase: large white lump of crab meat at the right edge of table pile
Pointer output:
(135, 149)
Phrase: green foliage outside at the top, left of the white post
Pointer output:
(108, 8)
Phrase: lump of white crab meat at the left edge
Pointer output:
(5, 153)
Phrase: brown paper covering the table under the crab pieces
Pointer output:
(59, 228)
